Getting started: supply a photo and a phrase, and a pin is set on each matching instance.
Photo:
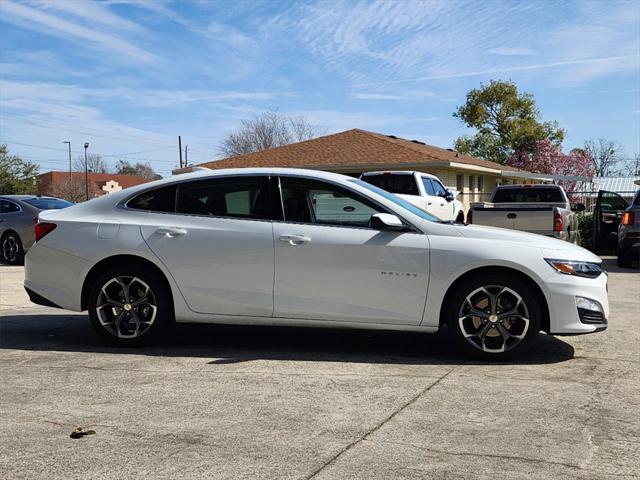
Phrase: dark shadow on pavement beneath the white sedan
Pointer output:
(234, 344)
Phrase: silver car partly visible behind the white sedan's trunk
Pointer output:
(18, 215)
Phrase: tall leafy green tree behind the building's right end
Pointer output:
(506, 122)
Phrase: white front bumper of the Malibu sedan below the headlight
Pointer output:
(564, 318)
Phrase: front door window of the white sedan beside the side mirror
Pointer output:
(311, 201)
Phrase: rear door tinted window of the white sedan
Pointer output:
(241, 197)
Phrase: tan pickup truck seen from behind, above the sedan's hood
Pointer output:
(541, 209)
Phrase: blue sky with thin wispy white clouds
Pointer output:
(129, 76)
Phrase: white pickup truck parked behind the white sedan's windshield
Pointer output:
(421, 189)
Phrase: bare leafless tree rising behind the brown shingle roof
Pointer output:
(267, 130)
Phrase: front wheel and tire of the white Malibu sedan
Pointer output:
(487, 336)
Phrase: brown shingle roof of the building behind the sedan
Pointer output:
(352, 148)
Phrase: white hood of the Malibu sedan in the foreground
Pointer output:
(551, 247)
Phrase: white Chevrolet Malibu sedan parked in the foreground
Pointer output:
(266, 246)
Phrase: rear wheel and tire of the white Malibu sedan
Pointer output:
(119, 313)
